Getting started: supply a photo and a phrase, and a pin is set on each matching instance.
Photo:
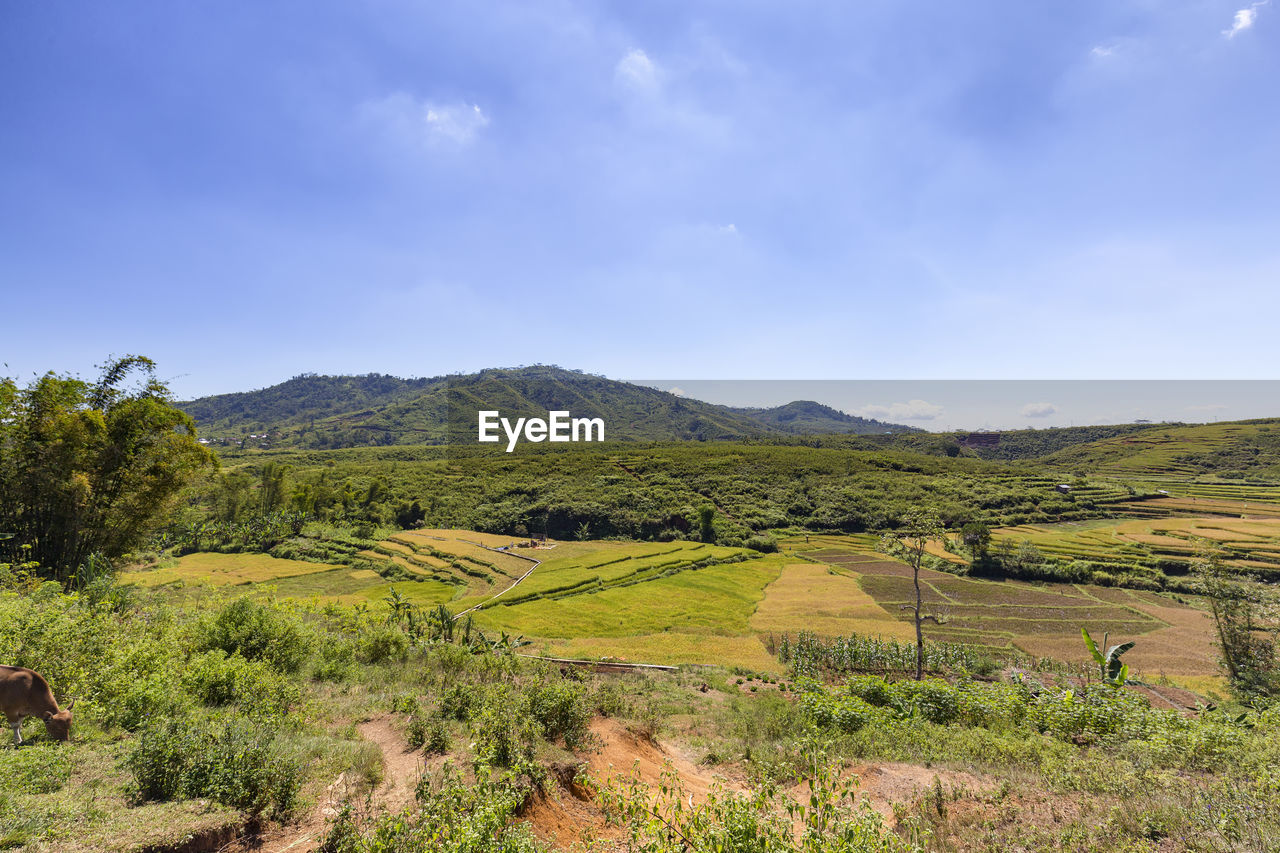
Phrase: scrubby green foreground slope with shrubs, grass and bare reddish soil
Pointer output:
(253, 706)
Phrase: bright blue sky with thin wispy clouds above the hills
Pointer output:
(746, 190)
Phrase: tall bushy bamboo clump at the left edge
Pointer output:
(86, 469)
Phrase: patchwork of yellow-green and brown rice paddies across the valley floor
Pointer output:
(688, 603)
